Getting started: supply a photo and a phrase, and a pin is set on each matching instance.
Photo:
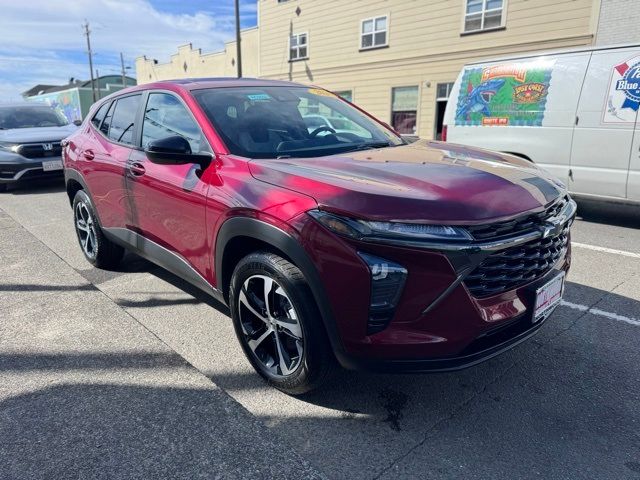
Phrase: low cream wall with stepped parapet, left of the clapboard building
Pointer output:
(217, 64)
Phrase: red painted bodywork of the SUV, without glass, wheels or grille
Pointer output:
(428, 182)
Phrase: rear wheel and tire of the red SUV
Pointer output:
(98, 250)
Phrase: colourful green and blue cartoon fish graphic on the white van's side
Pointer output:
(508, 94)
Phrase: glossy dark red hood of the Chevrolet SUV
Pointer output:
(426, 181)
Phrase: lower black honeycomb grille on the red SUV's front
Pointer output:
(512, 267)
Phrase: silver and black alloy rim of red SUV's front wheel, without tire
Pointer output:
(270, 325)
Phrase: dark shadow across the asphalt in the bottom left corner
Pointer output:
(117, 431)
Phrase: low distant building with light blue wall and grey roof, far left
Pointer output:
(75, 99)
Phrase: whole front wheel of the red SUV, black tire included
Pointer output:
(278, 324)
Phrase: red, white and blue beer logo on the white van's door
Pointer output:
(623, 98)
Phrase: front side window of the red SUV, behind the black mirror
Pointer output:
(166, 116)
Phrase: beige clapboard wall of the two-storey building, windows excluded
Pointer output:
(425, 44)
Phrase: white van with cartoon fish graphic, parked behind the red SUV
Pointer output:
(574, 113)
